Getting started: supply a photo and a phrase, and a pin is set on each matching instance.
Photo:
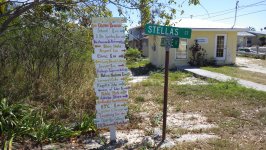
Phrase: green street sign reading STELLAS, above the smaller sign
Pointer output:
(153, 29)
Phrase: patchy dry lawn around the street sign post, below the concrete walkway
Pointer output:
(225, 104)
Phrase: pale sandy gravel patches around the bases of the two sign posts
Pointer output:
(134, 139)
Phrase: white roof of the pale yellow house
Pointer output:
(205, 25)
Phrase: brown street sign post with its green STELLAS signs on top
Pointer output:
(170, 41)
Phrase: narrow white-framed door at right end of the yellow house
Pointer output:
(220, 47)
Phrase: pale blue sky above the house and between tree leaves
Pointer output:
(250, 13)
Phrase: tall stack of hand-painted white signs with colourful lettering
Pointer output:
(110, 63)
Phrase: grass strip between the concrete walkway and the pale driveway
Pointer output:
(239, 73)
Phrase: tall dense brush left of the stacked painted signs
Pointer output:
(46, 79)
